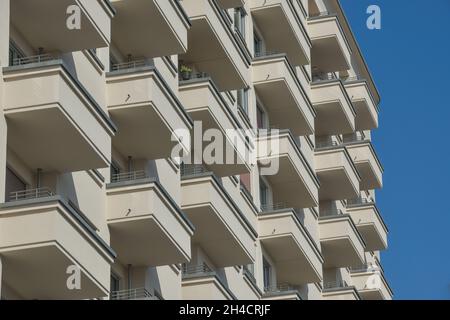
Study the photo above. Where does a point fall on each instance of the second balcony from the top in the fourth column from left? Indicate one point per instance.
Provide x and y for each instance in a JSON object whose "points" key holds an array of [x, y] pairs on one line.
{"points": [[284, 98]]}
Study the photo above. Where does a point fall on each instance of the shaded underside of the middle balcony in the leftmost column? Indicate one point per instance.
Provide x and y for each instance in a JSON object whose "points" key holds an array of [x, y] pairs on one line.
{"points": [[41, 137]]}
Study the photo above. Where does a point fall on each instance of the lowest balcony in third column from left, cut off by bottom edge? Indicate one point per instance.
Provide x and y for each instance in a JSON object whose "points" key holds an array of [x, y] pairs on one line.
{"points": [[202, 283]]}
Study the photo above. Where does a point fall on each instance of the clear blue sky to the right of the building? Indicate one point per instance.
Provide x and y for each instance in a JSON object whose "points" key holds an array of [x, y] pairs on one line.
{"points": [[410, 61]]}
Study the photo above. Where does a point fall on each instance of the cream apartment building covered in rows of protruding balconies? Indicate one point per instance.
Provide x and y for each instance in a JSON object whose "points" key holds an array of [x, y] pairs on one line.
{"points": [[93, 203]]}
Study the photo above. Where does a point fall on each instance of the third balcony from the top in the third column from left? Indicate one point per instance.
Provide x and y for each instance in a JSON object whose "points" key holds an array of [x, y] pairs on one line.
{"points": [[221, 229]]}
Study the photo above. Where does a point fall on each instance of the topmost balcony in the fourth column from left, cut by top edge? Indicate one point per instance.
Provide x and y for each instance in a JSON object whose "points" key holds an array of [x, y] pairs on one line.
{"points": [[295, 41]]}
